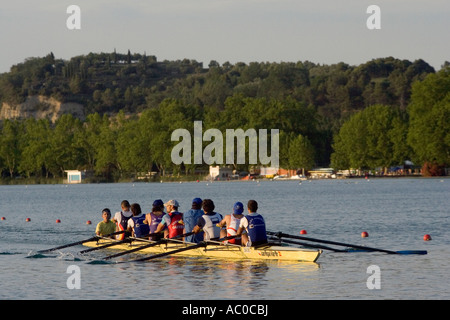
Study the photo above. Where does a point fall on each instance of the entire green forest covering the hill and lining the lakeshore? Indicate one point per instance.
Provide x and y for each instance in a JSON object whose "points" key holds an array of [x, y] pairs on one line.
{"points": [[377, 114]]}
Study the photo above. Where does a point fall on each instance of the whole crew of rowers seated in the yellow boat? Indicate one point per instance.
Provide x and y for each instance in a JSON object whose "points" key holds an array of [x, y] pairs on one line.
{"points": [[200, 223]]}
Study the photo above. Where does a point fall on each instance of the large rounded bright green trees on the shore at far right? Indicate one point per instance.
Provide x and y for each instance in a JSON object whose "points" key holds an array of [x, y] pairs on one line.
{"points": [[383, 136]]}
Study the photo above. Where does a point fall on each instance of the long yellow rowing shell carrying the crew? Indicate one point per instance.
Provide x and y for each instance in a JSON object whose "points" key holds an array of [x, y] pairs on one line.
{"points": [[269, 252]]}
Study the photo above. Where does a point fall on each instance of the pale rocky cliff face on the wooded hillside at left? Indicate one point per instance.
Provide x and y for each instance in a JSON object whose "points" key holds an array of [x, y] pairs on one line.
{"points": [[41, 107]]}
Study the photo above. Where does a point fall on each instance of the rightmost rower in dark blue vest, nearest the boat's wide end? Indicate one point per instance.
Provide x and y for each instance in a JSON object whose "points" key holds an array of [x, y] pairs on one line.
{"points": [[254, 225]]}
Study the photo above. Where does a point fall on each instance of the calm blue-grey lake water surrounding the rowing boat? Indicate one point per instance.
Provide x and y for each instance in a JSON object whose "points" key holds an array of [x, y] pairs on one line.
{"points": [[395, 212]]}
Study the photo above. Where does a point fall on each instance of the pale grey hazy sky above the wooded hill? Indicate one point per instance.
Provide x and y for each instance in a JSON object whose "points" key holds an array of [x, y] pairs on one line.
{"points": [[320, 31]]}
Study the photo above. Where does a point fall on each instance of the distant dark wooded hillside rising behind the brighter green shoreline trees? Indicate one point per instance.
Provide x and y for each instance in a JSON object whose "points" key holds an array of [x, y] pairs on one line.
{"points": [[109, 82]]}
